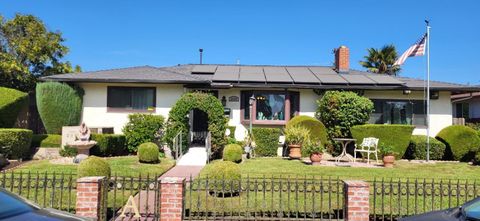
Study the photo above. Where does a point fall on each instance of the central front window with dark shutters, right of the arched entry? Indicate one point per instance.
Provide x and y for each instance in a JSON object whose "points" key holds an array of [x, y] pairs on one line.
{"points": [[270, 107]]}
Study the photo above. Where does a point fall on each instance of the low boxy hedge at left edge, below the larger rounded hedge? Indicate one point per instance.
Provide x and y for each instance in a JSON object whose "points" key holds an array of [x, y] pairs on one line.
{"points": [[15, 143]]}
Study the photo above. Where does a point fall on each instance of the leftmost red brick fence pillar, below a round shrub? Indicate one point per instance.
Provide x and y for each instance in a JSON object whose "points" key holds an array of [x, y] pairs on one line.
{"points": [[89, 196]]}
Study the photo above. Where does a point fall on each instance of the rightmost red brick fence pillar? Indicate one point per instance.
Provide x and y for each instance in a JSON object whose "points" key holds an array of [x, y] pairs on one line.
{"points": [[356, 200]]}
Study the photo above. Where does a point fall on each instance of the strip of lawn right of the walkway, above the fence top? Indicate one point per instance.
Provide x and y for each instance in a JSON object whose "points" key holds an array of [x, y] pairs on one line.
{"points": [[283, 167]]}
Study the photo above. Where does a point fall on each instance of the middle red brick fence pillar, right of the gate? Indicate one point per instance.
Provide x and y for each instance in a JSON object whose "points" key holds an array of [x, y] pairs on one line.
{"points": [[171, 198]]}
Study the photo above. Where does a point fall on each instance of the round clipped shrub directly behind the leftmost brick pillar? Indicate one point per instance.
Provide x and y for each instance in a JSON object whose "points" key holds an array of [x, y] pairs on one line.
{"points": [[93, 166]]}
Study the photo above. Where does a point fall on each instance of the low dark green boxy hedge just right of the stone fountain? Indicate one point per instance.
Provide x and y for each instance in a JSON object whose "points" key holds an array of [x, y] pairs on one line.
{"points": [[108, 145]]}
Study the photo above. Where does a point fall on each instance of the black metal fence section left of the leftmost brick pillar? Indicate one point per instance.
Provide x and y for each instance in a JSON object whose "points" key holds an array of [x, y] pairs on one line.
{"points": [[51, 190]]}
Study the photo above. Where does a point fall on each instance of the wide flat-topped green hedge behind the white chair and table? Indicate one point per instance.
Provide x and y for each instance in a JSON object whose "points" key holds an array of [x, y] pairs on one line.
{"points": [[395, 135]]}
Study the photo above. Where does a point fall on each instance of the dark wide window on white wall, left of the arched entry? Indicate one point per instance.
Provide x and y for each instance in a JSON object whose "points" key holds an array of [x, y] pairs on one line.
{"points": [[131, 98]]}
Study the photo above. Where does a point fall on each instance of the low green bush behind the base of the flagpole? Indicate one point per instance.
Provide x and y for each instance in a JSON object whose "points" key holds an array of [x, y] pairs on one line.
{"points": [[417, 150]]}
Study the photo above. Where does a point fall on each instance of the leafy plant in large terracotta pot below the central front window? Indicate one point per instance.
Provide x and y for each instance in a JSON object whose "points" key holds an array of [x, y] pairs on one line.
{"points": [[295, 137]]}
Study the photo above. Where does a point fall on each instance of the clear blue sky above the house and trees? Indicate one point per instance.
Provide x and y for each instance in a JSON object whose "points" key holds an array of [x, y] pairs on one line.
{"points": [[114, 34]]}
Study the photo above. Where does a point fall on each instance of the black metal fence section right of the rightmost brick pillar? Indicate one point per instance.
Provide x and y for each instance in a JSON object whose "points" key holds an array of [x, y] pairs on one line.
{"points": [[391, 199]]}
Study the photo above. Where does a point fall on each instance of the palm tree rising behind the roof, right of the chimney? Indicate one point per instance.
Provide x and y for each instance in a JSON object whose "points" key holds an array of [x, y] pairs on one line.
{"points": [[381, 61]]}
